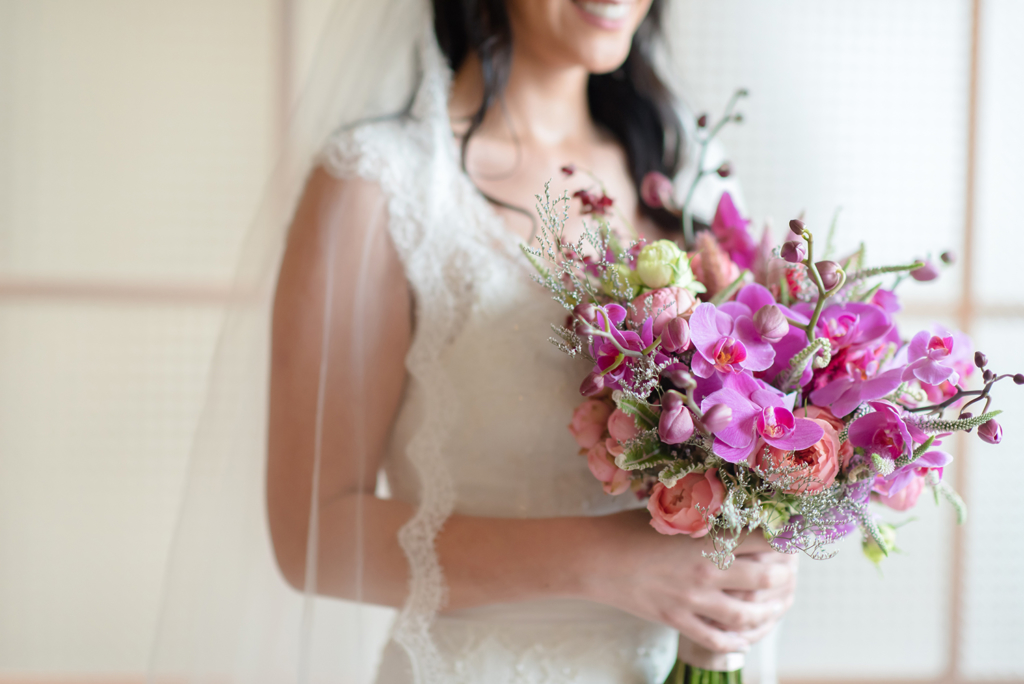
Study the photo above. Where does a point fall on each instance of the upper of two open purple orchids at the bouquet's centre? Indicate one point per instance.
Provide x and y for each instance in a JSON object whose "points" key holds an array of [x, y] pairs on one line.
{"points": [[728, 341]]}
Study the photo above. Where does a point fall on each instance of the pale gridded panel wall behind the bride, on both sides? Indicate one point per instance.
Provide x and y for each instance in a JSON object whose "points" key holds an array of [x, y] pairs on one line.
{"points": [[134, 139]]}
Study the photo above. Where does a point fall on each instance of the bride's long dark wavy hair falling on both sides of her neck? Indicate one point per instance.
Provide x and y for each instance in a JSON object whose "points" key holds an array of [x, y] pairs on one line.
{"points": [[632, 102]]}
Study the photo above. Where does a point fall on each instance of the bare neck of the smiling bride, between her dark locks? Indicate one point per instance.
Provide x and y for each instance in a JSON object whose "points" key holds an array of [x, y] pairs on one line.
{"points": [[541, 105]]}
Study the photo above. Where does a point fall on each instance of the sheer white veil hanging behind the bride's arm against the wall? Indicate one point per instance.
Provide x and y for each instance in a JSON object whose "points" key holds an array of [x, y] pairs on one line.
{"points": [[228, 615]]}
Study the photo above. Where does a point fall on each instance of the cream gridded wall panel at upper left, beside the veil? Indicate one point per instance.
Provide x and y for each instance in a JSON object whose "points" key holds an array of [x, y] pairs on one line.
{"points": [[141, 134]]}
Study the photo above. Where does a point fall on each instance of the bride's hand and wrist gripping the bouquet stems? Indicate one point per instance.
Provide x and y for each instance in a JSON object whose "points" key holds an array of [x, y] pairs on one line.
{"points": [[667, 580]]}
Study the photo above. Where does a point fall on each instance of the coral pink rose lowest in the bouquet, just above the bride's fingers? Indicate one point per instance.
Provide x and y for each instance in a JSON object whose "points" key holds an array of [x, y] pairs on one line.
{"points": [[676, 511]]}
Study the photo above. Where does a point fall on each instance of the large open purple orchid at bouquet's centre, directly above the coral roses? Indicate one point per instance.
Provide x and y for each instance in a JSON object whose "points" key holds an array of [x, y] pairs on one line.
{"points": [[759, 413]]}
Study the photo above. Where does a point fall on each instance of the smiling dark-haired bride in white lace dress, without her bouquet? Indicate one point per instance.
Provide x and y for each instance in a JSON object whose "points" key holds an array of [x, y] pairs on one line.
{"points": [[418, 455]]}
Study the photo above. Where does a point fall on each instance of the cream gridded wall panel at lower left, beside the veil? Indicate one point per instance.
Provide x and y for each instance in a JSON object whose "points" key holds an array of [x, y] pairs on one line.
{"points": [[98, 408]]}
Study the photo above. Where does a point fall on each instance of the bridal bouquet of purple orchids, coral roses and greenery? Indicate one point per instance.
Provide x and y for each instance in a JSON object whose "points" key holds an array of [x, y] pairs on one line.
{"points": [[741, 386]]}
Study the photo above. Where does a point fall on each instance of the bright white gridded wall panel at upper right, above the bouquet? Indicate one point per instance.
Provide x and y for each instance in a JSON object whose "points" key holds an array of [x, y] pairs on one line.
{"points": [[854, 105]]}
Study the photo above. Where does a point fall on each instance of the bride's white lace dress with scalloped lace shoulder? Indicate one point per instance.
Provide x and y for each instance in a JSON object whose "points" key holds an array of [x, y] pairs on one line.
{"points": [[483, 427]]}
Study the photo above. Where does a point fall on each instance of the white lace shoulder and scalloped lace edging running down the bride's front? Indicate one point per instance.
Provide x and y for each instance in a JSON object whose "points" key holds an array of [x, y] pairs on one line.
{"points": [[408, 158]]}
